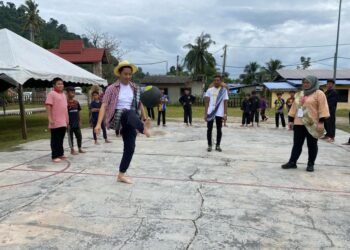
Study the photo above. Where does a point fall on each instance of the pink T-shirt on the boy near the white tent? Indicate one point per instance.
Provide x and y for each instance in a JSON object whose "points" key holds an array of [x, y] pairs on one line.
{"points": [[59, 111]]}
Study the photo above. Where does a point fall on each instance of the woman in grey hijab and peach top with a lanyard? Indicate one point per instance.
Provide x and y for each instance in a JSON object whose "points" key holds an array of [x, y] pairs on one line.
{"points": [[308, 114]]}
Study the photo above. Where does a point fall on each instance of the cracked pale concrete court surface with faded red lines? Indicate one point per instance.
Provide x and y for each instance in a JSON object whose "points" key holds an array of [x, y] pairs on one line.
{"points": [[182, 198]]}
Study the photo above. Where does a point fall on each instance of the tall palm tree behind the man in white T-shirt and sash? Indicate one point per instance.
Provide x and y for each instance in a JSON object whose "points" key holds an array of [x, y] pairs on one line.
{"points": [[198, 59]]}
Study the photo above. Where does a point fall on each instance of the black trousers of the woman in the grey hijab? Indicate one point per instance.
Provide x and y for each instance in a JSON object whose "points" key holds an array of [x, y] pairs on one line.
{"points": [[300, 134]]}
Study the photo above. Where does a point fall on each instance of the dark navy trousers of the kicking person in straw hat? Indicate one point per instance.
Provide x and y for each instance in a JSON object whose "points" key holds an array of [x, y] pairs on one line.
{"points": [[131, 123]]}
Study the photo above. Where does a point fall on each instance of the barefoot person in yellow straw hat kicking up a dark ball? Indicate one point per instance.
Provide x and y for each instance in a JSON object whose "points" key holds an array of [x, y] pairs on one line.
{"points": [[122, 106]]}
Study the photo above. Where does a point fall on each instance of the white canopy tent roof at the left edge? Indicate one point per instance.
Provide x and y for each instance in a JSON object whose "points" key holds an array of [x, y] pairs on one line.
{"points": [[22, 60]]}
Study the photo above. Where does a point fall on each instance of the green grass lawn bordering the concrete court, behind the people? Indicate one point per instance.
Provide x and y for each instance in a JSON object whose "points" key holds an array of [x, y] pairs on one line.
{"points": [[37, 124]]}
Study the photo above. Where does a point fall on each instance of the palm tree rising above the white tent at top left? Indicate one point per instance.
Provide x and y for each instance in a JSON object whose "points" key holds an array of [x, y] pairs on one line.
{"points": [[33, 20]]}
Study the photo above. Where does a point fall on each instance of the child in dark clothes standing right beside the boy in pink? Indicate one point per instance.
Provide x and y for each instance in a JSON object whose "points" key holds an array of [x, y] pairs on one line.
{"points": [[74, 121]]}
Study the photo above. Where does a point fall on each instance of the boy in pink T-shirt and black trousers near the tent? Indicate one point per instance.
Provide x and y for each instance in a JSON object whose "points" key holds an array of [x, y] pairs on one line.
{"points": [[57, 112]]}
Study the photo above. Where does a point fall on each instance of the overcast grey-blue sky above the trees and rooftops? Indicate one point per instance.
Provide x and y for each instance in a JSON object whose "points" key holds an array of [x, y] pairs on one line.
{"points": [[157, 30]]}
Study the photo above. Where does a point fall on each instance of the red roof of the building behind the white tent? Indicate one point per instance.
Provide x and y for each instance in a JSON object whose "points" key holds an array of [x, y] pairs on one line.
{"points": [[74, 52]]}
